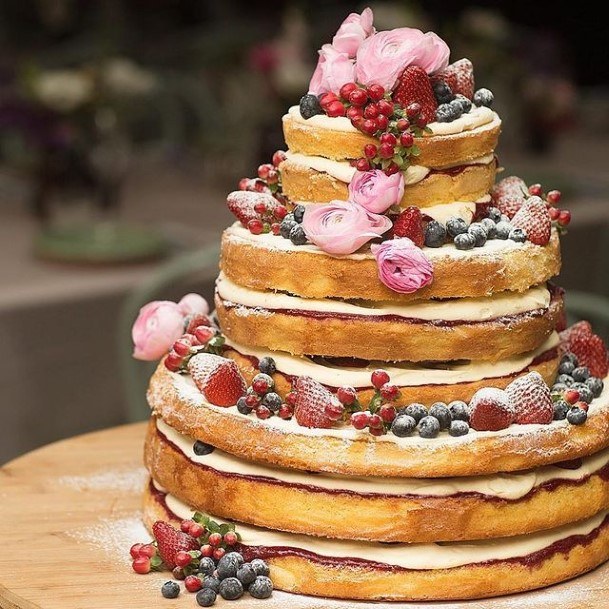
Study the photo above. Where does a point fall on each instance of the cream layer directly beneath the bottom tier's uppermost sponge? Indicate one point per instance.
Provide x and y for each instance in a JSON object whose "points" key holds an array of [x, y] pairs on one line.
{"points": [[504, 486]]}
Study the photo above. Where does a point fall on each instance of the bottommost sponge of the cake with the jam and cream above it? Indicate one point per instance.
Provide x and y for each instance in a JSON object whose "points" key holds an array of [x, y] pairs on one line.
{"points": [[402, 572]]}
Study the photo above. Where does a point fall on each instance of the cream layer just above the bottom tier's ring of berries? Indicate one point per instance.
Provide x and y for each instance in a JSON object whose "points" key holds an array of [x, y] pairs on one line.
{"points": [[403, 374]]}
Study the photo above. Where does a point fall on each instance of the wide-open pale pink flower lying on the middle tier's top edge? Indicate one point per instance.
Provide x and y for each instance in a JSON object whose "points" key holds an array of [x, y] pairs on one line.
{"points": [[341, 227]]}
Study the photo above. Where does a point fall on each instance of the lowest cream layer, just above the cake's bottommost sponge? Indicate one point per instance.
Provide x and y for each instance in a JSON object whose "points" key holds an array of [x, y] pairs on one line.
{"points": [[415, 556]]}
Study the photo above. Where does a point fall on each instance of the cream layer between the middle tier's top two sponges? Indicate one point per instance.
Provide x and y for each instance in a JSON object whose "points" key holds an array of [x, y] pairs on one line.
{"points": [[460, 309]]}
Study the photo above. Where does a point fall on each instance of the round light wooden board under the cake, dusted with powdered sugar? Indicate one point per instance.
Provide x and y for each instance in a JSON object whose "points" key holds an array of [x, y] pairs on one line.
{"points": [[70, 511]]}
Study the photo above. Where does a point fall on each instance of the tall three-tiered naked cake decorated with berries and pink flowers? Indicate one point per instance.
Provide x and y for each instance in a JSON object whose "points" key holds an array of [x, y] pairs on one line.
{"points": [[380, 410]]}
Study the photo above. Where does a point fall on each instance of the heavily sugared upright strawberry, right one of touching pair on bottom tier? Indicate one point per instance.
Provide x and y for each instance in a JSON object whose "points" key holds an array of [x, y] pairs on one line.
{"points": [[530, 397]]}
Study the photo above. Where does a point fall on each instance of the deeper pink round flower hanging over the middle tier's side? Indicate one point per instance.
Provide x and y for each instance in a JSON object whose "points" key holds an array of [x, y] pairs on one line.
{"points": [[402, 265]]}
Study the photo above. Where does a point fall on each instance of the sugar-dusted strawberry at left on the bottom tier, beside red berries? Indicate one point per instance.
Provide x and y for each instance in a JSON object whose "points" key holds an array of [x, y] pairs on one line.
{"points": [[217, 378]]}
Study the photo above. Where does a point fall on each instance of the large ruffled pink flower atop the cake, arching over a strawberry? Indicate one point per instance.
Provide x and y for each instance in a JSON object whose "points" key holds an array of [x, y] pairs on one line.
{"points": [[381, 58]]}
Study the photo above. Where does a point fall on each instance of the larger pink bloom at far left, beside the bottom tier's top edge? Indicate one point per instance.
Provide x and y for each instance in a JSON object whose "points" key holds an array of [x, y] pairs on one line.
{"points": [[159, 324]]}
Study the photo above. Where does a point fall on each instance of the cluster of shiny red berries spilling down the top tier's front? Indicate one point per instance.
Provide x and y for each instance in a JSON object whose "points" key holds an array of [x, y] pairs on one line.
{"points": [[372, 111]]}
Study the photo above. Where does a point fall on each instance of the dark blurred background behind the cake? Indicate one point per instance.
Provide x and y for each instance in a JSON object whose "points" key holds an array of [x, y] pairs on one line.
{"points": [[123, 123]]}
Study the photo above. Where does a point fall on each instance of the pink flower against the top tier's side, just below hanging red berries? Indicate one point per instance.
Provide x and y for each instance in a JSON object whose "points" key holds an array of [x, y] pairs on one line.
{"points": [[375, 190]]}
